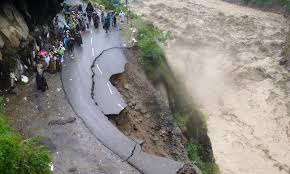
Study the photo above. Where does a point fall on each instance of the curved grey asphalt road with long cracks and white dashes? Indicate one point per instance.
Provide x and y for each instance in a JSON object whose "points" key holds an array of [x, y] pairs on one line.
{"points": [[77, 82]]}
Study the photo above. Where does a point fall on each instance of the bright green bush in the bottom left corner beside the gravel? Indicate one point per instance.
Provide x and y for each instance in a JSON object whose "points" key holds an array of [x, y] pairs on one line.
{"points": [[19, 156]]}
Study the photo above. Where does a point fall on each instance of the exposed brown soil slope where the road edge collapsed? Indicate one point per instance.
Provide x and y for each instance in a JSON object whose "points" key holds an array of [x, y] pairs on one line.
{"points": [[148, 116]]}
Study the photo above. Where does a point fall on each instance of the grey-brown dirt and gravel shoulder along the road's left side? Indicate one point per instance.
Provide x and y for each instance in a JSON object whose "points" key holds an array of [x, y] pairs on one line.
{"points": [[74, 149]]}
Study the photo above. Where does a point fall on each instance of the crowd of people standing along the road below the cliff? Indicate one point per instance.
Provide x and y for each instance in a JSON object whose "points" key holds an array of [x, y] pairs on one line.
{"points": [[66, 35]]}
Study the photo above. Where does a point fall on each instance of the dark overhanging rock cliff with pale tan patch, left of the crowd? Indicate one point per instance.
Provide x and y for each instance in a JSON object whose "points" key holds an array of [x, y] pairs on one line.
{"points": [[17, 19]]}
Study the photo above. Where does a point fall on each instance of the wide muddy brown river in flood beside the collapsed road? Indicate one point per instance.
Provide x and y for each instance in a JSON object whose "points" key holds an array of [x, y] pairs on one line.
{"points": [[227, 57]]}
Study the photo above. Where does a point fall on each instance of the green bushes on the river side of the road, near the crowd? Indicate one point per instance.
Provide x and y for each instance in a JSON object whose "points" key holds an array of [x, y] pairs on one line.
{"points": [[150, 46]]}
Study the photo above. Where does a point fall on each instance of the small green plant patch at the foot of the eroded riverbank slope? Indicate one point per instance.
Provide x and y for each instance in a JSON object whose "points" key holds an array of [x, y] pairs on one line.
{"points": [[194, 151]]}
